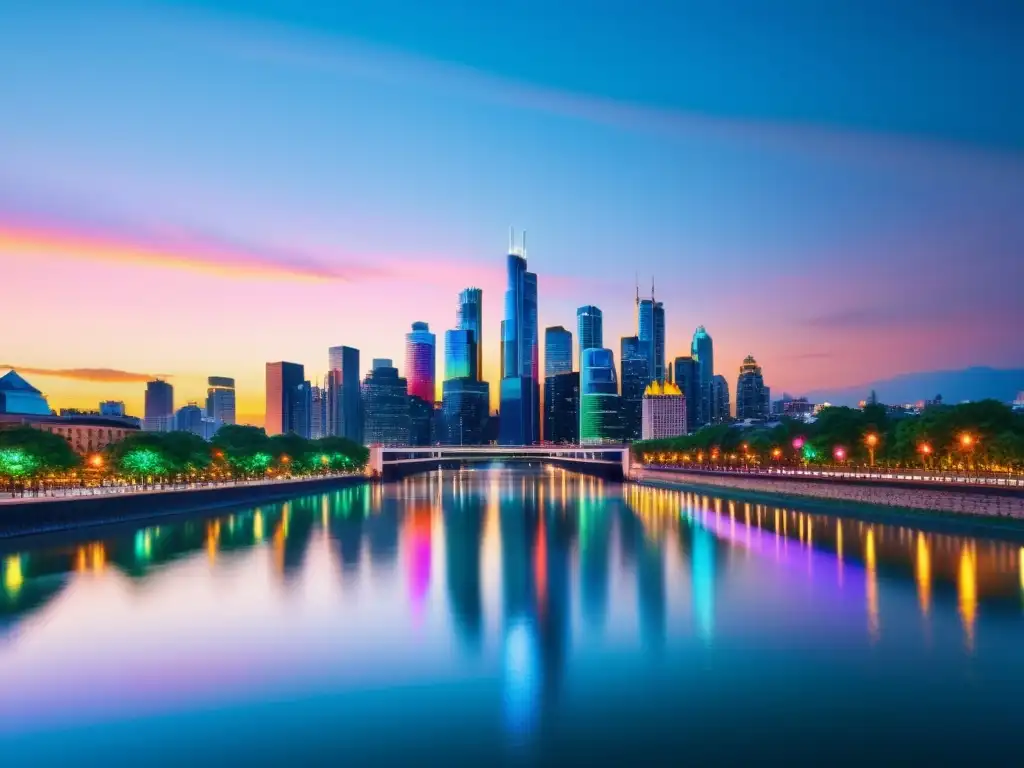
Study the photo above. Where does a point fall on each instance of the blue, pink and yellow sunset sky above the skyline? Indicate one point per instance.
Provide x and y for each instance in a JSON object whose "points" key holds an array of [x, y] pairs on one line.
{"points": [[196, 189]]}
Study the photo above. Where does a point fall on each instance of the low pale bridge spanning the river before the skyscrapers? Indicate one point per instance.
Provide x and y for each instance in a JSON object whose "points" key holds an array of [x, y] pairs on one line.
{"points": [[391, 462]]}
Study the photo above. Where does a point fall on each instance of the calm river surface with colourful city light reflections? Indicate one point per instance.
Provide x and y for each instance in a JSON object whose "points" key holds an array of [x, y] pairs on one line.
{"points": [[515, 616]]}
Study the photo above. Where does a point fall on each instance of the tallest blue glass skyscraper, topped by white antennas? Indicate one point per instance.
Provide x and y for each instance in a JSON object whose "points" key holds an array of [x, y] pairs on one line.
{"points": [[520, 388]]}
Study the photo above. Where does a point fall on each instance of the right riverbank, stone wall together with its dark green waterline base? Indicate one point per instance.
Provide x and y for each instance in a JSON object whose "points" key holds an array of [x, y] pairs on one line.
{"points": [[968, 504]]}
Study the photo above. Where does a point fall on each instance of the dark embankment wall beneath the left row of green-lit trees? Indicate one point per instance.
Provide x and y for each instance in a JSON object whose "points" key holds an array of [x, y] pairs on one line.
{"points": [[50, 515]]}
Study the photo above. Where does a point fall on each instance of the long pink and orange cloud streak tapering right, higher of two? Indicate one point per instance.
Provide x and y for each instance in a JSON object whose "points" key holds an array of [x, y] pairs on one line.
{"points": [[176, 251]]}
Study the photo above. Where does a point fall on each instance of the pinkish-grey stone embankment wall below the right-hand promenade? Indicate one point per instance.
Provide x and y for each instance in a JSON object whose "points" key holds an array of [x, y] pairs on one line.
{"points": [[982, 502]]}
